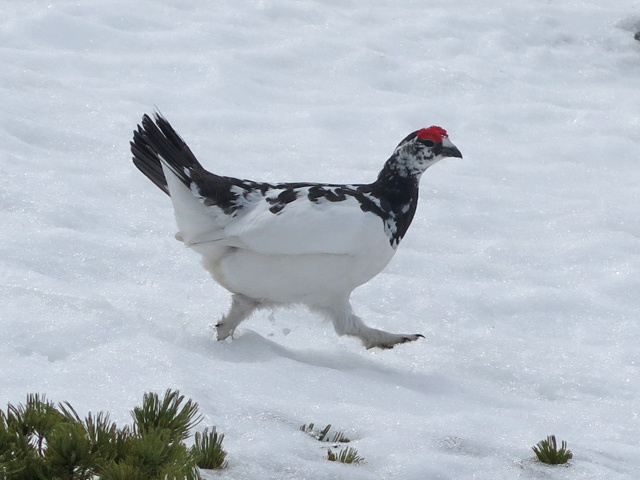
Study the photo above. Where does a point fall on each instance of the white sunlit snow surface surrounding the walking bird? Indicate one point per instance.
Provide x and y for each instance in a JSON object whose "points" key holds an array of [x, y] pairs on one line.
{"points": [[522, 266]]}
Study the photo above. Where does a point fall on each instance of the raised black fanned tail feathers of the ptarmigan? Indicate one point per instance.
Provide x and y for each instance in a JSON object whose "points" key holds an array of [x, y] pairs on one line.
{"points": [[154, 139]]}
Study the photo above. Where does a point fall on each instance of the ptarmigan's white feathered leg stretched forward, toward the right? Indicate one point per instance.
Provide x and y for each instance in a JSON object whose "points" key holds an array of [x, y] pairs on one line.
{"points": [[346, 322]]}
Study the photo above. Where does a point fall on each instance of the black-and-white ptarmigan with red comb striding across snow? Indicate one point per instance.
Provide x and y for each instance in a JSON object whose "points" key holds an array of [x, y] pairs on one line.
{"points": [[291, 243]]}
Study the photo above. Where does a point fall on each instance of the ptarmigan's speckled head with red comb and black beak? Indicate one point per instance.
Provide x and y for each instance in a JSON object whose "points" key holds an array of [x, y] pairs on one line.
{"points": [[421, 149]]}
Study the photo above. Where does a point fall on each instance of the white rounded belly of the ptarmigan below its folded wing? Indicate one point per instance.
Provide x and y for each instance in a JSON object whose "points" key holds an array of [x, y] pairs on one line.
{"points": [[315, 279]]}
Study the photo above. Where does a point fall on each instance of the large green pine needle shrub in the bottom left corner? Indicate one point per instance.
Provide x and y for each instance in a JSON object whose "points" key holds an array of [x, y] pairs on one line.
{"points": [[39, 440]]}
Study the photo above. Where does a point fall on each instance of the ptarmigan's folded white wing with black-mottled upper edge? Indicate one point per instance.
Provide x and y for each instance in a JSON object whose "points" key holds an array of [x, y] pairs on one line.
{"points": [[276, 219]]}
